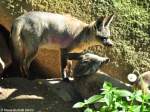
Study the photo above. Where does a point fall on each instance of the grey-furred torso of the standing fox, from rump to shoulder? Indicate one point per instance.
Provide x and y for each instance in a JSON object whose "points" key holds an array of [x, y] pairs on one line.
{"points": [[55, 29]]}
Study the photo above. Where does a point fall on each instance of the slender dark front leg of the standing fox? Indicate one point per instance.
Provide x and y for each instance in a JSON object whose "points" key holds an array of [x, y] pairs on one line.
{"points": [[64, 53]]}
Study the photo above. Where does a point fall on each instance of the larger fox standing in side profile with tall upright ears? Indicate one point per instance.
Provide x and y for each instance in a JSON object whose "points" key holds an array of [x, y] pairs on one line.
{"points": [[42, 29]]}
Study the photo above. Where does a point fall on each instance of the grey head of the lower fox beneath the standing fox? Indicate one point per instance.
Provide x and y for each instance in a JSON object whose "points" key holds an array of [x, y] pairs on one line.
{"points": [[89, 64]]}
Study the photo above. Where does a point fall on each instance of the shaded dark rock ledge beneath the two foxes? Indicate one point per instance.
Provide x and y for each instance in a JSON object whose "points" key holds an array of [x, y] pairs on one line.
{"points": [[50, 95]]}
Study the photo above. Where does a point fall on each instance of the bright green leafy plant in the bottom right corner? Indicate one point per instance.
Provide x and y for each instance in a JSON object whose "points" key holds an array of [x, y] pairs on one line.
{"points": [[116, 100]]}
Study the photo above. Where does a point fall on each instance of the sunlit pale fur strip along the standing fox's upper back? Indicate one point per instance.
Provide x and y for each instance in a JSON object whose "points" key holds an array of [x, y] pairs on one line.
{"points": [[54, 21]]}
